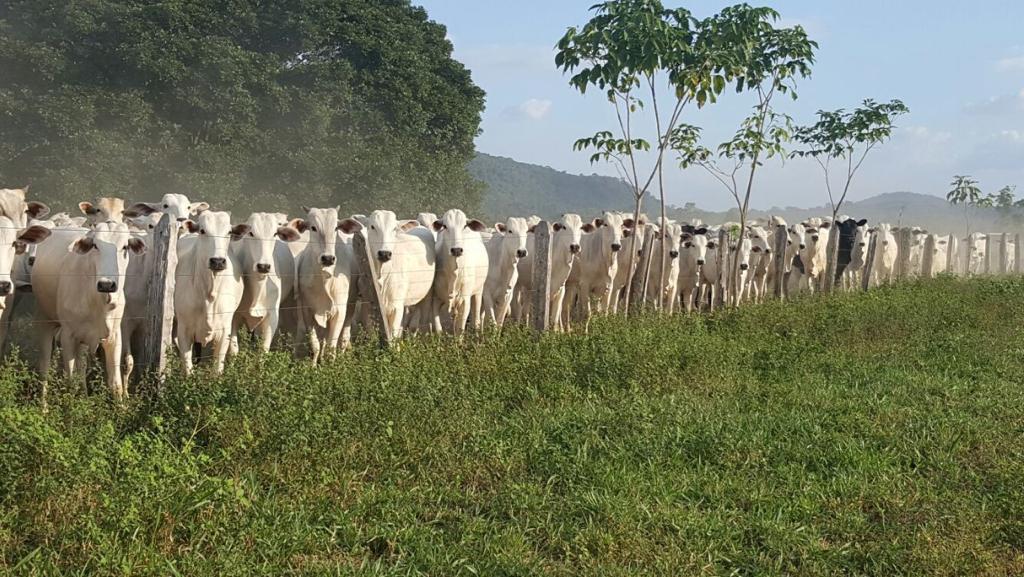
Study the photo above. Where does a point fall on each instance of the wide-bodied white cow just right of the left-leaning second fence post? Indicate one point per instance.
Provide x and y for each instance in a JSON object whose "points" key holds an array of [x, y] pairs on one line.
{"points": [[403, 258]]}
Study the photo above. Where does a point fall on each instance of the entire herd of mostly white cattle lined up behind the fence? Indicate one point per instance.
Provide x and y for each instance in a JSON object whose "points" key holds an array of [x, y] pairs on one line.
{"points": [[90, 274]]}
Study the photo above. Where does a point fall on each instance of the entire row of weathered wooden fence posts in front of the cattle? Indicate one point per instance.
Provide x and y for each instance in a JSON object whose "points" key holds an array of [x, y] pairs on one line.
{"points": [[163, 250]]}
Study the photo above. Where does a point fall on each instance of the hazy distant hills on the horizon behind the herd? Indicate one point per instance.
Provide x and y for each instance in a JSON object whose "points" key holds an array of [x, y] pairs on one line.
{"points": [[519, 189]]}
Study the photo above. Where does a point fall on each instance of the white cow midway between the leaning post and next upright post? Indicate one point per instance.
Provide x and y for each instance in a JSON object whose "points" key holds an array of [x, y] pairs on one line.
{"points": [[461, 271]]}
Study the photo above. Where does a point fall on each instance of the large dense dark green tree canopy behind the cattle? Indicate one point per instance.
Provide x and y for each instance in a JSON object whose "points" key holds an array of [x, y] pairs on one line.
{"points": [[247, 104]]}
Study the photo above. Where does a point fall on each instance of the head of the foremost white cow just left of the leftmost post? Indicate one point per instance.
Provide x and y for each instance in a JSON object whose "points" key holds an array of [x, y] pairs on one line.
{"points": [[108, 246]]}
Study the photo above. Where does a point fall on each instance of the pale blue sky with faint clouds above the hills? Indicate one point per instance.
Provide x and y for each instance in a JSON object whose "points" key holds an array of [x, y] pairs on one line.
{"points": [[960, 67]]}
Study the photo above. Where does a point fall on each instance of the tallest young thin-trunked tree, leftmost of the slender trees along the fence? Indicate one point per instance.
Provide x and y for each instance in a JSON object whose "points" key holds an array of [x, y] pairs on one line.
{"points": [[630, 50]]}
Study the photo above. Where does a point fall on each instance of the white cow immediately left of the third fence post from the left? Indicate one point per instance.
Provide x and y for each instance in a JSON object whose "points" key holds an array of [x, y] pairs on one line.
{"points": [[506, 248]]}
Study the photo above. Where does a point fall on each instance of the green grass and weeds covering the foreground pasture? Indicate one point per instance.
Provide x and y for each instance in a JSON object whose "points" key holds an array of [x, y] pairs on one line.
{"points": [[860, 435]]}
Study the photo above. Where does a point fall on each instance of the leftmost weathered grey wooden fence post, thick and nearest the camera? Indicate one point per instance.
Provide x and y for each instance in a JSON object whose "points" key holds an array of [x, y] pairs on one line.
{"points": [[163, 248]]}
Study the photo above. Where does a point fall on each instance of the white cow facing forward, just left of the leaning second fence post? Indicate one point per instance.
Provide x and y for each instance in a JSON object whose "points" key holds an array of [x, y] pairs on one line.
{"points": [[324, 282]]}
